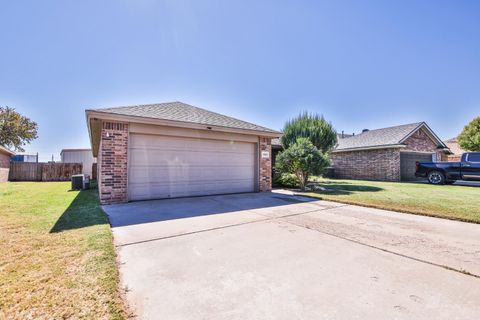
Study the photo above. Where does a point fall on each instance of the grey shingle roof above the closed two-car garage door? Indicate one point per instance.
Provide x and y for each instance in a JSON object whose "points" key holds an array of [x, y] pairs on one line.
{"points": [[178, 111]]}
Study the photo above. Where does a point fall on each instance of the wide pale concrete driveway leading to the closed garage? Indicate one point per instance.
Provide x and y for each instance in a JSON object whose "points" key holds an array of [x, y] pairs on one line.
{"points": [[275, 256]]}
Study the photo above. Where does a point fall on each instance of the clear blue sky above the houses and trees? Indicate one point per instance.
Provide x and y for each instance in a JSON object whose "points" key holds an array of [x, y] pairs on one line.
{"points": [[362, 64]]}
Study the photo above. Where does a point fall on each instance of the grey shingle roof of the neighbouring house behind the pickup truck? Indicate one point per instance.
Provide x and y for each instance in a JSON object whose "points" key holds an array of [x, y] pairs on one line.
{"points": [[383, 138]]}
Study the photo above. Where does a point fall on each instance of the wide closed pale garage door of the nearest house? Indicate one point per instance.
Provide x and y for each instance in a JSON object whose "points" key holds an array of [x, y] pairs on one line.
{"points": [[167, 167]]}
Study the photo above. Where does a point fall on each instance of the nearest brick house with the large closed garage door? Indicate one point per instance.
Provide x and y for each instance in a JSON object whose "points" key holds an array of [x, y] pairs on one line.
{"points": [[173, 149]]}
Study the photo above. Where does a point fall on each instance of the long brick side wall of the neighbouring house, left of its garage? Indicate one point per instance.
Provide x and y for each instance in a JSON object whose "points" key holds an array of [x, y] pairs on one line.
{"points": [[381, 164]]}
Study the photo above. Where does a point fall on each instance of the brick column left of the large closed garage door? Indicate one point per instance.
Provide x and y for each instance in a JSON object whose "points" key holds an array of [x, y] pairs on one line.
{"points": [[112, 162]]}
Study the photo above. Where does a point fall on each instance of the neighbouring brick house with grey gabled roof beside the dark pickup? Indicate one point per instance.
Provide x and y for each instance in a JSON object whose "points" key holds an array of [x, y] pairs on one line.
{"points": [[387, 154]]}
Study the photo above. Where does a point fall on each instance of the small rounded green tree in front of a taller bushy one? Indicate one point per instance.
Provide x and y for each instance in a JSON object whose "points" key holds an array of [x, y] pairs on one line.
{"points": [[303, 160]]}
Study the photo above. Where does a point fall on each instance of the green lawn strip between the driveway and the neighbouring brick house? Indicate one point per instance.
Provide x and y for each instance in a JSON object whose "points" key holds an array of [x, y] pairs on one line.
{"points": [[448, 201]]}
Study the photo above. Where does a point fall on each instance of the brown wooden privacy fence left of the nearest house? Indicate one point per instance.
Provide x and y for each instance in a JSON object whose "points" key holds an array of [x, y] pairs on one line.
{"points": [[32, 171]]}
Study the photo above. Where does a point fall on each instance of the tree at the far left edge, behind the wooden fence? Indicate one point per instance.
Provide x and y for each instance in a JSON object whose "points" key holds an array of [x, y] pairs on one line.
{"points": [[16, 130]]}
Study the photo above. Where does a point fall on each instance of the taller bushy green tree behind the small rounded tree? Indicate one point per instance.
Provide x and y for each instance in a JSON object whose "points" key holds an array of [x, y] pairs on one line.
{"points": [[311, 126]]}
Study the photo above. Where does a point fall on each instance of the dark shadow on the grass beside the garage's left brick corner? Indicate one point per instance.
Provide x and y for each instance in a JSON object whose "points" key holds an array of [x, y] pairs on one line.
{"points": [[83, 211]]}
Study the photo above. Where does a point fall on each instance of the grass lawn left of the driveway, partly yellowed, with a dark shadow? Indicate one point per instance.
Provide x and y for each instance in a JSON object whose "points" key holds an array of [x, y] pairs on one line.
{"points": [[57, 258]]}
